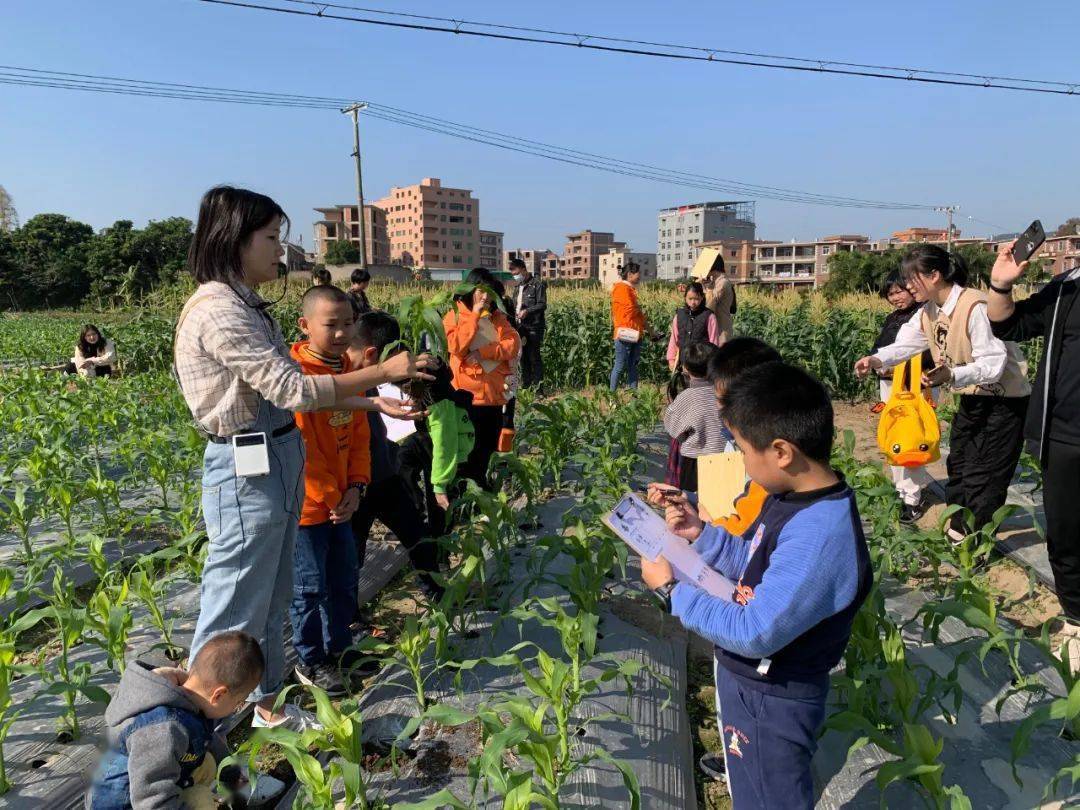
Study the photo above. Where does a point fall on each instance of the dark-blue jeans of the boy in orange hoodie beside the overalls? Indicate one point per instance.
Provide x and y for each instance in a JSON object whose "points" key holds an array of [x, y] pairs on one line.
{"points": [[325, 591]]}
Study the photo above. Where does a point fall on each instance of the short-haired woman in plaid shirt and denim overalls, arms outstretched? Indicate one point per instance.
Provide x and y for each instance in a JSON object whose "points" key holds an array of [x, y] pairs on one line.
{"points": [[238, 380]]}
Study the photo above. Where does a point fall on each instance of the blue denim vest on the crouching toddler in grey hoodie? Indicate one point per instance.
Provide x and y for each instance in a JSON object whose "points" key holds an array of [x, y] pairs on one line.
{"points": [[112, 789]]}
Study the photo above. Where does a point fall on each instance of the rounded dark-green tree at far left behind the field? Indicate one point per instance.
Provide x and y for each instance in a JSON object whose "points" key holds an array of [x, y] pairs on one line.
{"points": [[52, 255]]}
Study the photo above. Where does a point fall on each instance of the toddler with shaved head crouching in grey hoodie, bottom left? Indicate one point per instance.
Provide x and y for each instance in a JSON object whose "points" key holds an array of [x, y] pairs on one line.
{"points": [[161, 732]]}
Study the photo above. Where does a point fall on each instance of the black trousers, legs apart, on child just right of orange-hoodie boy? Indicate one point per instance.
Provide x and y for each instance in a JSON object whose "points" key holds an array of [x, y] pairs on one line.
{"points": [[389, 501]]}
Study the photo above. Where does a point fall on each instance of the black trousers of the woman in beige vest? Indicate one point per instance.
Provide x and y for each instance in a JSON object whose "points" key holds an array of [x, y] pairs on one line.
{"points": [[985, 444]]}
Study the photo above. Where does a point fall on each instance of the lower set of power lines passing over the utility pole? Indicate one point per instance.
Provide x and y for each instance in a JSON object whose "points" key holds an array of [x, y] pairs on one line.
{"points": [[96, 84]]}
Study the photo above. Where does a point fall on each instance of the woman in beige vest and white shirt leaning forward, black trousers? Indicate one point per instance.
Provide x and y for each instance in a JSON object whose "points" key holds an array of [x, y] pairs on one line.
{"points": [[989, 375]]}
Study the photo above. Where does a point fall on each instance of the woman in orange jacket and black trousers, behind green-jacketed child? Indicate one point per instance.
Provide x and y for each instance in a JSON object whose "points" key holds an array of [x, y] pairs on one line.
{"points": [[482, 345]]}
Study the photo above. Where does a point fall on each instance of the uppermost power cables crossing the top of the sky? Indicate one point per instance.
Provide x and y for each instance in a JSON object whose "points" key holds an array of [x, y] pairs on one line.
{"points": [[670, 51]]}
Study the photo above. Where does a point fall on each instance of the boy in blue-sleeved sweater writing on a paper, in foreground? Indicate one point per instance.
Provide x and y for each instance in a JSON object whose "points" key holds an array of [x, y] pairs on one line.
{"points": [[803, 571]]}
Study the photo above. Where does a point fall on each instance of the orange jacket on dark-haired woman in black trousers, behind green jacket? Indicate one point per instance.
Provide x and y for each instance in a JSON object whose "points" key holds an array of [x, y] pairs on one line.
{"points": [[488, 388]]}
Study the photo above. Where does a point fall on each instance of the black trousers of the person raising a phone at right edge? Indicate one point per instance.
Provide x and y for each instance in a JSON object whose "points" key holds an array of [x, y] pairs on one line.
{"points": [[1061, 487]]}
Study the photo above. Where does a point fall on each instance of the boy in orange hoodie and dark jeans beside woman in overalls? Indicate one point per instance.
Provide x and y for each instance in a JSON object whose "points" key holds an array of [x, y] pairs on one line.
{"points": [[337, 471]]}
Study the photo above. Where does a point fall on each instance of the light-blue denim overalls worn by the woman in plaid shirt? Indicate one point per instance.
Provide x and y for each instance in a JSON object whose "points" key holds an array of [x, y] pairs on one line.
{"points": [[252, 522]]}
